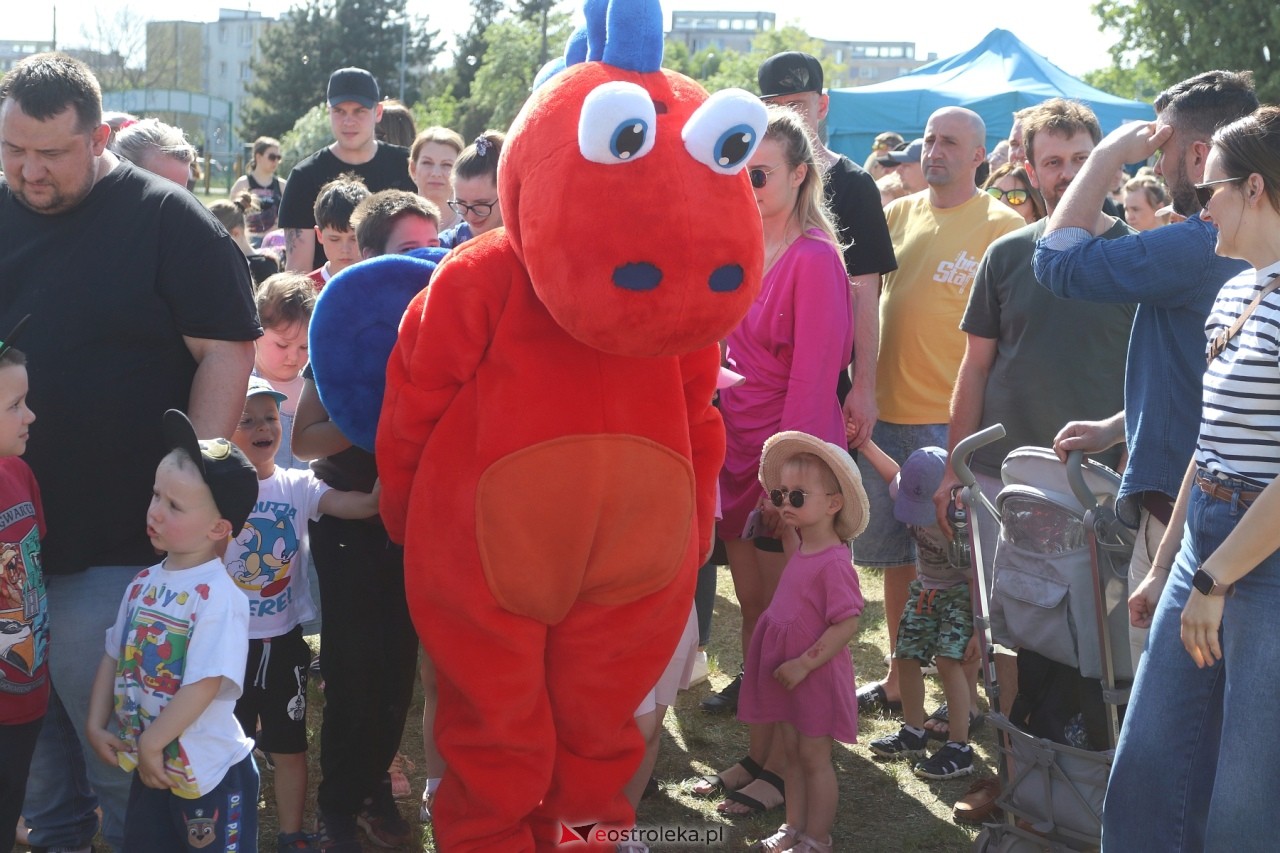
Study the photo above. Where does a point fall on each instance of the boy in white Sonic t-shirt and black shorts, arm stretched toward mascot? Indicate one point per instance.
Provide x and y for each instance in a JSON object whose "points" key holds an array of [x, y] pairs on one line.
{"points": [[268, 562]]}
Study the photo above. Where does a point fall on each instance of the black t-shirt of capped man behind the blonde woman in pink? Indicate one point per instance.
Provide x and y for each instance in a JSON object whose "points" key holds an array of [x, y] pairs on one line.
{"points": [[854, 200]]}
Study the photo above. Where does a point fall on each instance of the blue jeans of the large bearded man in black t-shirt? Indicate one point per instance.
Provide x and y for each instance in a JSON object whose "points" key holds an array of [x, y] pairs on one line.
{"points": [[65, 772]]}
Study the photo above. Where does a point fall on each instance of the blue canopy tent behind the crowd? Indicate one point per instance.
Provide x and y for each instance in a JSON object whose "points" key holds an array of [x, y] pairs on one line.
{"points": [[995, 79]]}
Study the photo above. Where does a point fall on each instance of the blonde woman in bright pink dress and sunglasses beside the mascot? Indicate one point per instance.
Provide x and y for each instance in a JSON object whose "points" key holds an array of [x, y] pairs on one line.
{"points": [[794, 339]]}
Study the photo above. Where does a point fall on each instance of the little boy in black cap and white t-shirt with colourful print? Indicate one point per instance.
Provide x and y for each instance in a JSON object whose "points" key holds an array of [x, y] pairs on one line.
{"points": [[164, 697]]}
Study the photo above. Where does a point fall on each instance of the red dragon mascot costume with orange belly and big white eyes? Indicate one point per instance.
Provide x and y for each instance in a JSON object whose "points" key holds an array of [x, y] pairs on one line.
{"points": [[547, 445]]}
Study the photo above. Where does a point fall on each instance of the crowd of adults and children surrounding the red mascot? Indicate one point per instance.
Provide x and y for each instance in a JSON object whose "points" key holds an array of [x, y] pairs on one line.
{"points": [[904, 307]]}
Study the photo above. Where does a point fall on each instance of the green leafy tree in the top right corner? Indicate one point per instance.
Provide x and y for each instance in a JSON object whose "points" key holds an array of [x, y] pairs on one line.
{"points": [[1180, 39]]}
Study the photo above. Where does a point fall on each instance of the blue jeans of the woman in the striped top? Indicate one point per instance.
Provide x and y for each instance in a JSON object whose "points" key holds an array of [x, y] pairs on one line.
{"points": [[1178, 783]]}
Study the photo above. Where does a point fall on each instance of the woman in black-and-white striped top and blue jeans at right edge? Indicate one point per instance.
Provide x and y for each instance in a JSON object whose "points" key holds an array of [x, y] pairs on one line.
{"points": [[1196, 765]]}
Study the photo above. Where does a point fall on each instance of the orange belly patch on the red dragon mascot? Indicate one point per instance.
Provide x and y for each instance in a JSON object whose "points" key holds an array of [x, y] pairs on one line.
{"points": [[604, 519]]}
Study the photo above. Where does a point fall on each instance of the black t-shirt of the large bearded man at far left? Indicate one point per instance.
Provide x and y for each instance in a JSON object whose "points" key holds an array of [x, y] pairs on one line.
{"points": [[112, 288]]}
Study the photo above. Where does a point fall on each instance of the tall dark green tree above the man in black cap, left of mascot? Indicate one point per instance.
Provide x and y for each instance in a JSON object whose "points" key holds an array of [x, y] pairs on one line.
{"points": [[316, 38]]}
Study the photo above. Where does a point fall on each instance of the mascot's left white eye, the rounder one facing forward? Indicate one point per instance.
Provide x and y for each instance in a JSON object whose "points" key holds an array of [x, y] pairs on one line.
{"points": [[619, 124]]}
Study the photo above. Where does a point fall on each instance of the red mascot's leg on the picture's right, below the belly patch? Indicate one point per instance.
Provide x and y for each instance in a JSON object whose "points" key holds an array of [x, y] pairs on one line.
{"points": [[601, 663]]}
